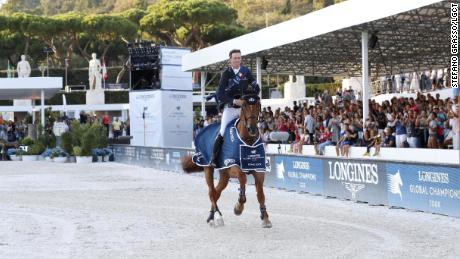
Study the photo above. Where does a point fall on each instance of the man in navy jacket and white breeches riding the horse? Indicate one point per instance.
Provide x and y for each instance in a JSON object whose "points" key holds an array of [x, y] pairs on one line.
{"points": [[235, 82]]}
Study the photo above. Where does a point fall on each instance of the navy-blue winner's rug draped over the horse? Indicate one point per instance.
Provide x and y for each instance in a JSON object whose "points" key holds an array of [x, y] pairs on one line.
{"points": [[234, 150]]}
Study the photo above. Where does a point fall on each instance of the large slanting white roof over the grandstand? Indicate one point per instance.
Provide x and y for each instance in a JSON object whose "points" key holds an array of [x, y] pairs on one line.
{"points": [[412, 35]]}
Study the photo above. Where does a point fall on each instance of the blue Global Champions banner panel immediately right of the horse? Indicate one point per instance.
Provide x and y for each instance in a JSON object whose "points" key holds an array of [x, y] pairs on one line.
{"points": [[296, 173]]}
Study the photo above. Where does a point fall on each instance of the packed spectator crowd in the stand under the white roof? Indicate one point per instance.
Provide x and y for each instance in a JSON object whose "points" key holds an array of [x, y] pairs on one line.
{"points": [[423, 122]]}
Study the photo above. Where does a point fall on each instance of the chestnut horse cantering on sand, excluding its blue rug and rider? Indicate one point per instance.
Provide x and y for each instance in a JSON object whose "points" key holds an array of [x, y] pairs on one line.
{"points": [[249, 133]]}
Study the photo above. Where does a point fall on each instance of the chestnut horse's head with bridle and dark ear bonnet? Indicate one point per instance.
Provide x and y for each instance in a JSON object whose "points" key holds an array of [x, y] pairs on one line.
{"points": [[250, 113]]}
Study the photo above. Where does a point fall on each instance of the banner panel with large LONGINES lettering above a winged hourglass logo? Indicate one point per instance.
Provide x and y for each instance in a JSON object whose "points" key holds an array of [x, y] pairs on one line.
{"points": [[360, 180]]}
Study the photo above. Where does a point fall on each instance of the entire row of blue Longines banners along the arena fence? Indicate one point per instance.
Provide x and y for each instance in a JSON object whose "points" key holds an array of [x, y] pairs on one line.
{"points": [[429, 188]]}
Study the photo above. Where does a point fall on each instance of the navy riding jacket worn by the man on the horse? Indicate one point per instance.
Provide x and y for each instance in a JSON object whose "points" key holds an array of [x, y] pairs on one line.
{"points": [[233, 85]]}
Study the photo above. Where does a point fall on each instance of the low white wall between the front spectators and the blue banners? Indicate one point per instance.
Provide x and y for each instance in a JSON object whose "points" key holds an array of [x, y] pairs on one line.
{"points": [[443, 156]]}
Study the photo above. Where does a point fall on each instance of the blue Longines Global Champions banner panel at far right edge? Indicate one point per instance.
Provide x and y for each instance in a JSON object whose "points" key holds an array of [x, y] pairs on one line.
{"points": [[422, 187]]}
